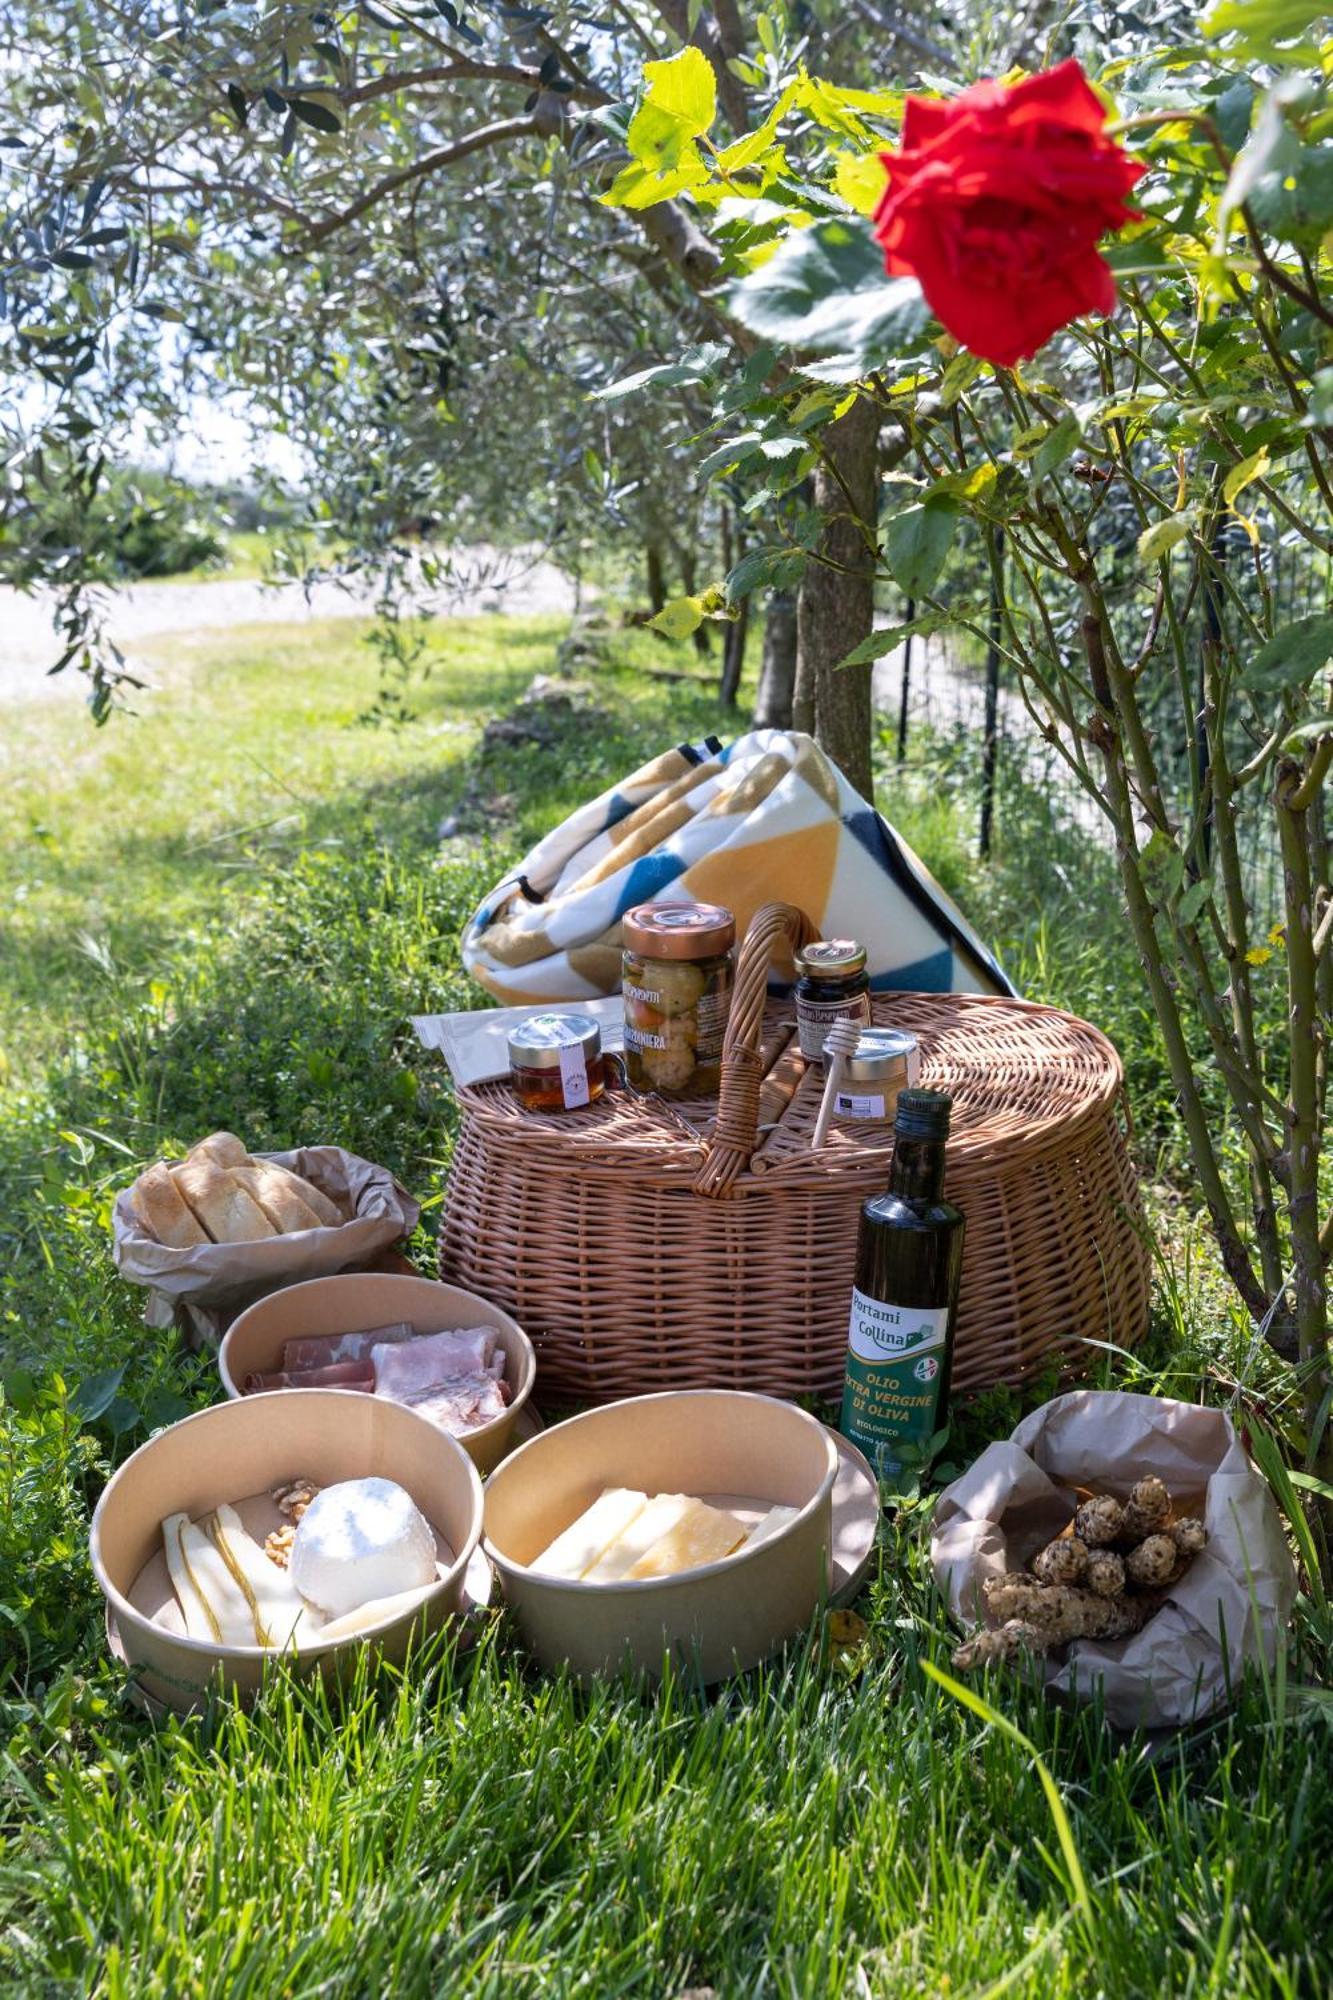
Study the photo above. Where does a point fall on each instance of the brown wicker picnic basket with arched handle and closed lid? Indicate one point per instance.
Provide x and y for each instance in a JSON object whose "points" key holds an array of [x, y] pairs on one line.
{"points": [[704, 1245]]}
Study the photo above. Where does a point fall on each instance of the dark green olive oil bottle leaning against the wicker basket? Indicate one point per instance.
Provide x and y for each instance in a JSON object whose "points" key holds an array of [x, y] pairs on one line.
{"points": [[910, 1259]]}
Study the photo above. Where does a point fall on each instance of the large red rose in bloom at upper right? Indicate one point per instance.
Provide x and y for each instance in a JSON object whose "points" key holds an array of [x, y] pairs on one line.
{"points": [[996, 205]]}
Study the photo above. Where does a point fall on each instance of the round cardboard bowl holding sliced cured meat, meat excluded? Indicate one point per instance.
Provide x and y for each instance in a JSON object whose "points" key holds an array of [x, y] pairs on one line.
{"points": [[353, 1305]]}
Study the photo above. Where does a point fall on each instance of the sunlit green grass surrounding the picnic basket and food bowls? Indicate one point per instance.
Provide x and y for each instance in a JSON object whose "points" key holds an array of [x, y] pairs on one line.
{"points": [[269, 903]]}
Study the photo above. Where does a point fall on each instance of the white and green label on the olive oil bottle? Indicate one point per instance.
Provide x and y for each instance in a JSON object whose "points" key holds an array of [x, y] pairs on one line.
{"points": [[896, 1377]]}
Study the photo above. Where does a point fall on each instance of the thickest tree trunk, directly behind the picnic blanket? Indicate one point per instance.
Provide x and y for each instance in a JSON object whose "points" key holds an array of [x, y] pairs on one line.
{"points": [[836, 609]]}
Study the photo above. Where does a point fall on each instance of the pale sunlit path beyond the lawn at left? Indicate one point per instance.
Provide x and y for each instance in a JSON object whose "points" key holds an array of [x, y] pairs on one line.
{"points": [[521, 587]]}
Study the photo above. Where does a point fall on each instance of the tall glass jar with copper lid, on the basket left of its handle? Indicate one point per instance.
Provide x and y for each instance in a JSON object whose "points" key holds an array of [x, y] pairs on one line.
{"points": [[678, 995]]}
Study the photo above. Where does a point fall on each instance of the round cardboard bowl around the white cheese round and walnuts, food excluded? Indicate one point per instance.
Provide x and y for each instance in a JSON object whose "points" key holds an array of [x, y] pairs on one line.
{"points": [[237, 1453]]}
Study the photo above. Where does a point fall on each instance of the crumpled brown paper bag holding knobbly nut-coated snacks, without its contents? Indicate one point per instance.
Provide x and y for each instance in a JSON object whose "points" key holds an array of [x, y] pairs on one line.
{"points": [[1228, 1611]]}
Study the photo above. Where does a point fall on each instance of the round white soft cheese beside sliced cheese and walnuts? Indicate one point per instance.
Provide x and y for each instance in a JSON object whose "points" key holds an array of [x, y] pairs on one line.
{"points": [[359, 1541]]}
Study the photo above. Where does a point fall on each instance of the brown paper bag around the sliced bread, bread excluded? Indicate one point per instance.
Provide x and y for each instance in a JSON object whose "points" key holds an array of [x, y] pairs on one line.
{"points": [[203, 1289]]}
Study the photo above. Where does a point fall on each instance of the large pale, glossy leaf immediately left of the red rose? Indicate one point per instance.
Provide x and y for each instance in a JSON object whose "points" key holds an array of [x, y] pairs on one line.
{"points": [[826, 293]]}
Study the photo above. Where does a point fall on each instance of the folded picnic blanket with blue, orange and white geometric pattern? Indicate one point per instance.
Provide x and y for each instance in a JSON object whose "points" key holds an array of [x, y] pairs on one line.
{"points": [[768, 819]]}
